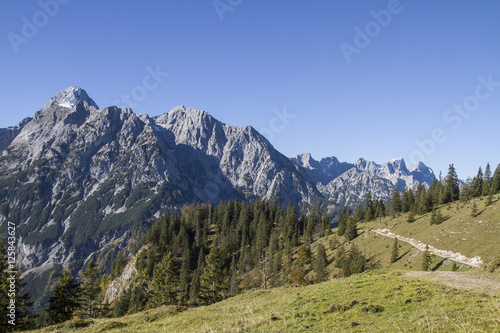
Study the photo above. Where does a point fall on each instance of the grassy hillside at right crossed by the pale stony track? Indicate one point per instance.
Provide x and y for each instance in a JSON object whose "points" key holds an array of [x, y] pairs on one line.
{"points": [[460, 233]]}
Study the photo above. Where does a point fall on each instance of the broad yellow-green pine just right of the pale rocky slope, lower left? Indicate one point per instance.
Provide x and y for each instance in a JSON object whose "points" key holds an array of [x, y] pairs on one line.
{"points": [[165, 282]]}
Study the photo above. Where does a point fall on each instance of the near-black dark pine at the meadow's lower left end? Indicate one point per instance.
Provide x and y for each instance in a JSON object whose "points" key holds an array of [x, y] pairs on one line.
{"points": [[65, 301]]}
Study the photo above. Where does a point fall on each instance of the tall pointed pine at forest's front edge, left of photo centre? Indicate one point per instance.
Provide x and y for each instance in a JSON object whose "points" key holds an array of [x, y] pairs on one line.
{"points": [[212, 280]]}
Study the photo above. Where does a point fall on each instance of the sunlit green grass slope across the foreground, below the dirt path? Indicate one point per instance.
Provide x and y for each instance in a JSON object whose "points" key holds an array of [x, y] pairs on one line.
{"points": [[376, 301]]}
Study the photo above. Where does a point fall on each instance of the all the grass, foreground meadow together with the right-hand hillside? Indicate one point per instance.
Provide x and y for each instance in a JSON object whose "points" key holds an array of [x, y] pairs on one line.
{"points": [[375, 301]]}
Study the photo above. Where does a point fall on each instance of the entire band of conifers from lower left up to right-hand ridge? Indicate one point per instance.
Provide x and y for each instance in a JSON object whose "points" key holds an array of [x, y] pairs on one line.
{"points": [[207, 253]]}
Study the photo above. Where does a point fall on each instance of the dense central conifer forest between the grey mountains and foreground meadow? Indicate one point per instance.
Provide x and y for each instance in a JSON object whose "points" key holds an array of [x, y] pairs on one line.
{"points": [[209, 253]]}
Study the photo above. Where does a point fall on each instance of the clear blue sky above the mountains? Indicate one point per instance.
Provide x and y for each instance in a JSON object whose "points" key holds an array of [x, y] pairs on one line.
{"points": [[276, 55]]}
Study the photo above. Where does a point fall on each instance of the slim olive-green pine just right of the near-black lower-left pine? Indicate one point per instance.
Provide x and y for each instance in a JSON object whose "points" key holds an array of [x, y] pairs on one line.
{"points": [[90, 291]]}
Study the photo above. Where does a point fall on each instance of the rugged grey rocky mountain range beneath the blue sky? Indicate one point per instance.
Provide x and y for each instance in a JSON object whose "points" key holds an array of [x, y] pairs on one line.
{"points": [[75, 178]]}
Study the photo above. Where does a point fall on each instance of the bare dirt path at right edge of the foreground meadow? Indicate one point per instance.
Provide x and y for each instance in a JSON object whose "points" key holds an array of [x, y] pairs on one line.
{"points": [[461, 280]]}
